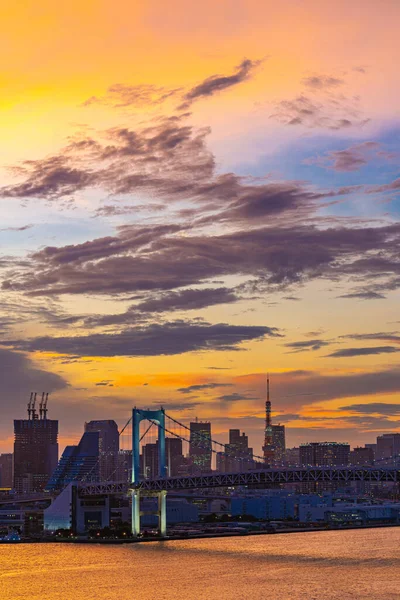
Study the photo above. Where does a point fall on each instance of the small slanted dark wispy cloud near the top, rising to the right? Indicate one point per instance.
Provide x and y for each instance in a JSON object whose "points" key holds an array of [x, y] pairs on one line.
{"points": [[218, 83]]}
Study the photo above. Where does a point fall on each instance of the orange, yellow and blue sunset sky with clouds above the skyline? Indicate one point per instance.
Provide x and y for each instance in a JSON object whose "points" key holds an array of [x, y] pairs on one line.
{"points": [[193, 196]]}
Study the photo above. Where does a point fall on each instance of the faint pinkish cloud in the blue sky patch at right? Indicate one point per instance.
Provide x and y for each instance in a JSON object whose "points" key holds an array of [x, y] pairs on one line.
{"points": [[351, 159]]}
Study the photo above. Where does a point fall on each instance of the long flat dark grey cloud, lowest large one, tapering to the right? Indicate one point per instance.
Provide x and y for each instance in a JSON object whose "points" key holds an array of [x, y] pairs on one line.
{"points": [[153, 340]]}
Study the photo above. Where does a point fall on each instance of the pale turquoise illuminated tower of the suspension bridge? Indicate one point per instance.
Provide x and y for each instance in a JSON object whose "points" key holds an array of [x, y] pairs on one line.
{"points": [[157, 417]]}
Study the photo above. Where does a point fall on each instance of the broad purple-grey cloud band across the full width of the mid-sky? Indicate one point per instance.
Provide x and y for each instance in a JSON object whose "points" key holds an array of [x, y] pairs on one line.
{"points": [[156, 258]]}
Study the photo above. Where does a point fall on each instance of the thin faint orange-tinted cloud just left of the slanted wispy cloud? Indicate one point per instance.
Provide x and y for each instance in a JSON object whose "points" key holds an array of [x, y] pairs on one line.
{"points": [[120, 95]]}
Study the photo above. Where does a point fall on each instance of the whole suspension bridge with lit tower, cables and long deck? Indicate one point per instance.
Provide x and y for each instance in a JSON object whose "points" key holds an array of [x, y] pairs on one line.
{"points": [[251, 470]]}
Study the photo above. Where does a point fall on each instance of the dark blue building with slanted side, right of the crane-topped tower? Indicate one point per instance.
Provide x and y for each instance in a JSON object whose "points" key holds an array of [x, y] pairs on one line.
{"points": [[77, 463]]}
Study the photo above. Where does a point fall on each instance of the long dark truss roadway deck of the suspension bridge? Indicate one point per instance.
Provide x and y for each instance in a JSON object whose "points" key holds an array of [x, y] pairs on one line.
{"points": [[249, 478]]}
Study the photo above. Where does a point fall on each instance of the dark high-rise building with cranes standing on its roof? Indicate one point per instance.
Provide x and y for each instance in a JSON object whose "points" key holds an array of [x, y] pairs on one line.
{"points": [[35, 448]]}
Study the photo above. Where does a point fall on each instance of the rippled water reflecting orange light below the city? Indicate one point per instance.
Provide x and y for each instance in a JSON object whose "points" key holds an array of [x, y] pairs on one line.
{"points": [[311, 566]]}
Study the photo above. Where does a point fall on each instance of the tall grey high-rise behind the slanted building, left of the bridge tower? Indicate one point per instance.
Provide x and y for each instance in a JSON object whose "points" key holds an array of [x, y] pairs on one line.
{"points": [[108, 447]]}
